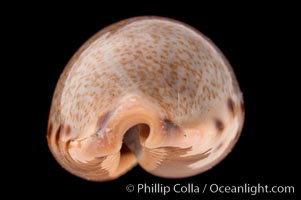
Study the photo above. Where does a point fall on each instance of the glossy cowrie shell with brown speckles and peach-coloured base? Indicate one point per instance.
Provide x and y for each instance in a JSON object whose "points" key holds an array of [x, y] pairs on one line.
{"points": [[150, 91]]}
